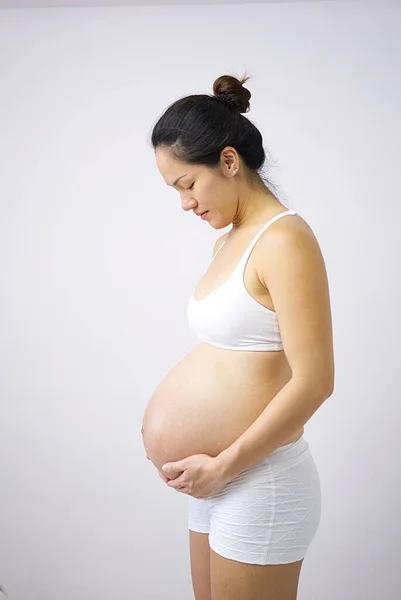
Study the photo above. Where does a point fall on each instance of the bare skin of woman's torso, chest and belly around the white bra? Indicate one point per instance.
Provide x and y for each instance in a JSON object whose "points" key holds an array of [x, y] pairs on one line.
{"points": [[213, 395]]}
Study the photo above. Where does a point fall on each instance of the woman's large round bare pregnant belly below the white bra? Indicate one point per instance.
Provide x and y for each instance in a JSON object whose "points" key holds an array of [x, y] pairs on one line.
{"points": [[208, 400]]}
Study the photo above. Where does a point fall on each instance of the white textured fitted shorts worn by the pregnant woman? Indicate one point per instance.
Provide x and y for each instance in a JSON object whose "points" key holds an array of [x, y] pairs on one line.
{"points": [[268, 514]]}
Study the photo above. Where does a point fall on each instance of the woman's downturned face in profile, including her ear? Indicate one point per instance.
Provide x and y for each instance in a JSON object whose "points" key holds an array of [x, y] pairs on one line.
{"points": [[202, 188]]}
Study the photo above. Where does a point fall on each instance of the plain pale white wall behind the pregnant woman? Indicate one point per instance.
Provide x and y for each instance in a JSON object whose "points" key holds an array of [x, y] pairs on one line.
{"points": [[98, 261]]}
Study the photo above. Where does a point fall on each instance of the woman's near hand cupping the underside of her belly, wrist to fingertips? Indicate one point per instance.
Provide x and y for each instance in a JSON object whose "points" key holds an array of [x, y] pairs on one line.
{"points": [[198, 476]]}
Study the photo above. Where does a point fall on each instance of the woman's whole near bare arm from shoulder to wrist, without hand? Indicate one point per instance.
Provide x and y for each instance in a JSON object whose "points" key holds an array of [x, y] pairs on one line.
{"points": [[294, 272]]}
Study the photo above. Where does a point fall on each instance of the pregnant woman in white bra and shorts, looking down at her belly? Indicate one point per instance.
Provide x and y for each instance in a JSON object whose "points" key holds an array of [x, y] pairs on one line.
{"points": [[226, 425]]}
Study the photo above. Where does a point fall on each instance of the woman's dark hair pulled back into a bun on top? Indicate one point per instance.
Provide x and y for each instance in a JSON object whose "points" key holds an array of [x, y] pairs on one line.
{"points": [[196, 128]]}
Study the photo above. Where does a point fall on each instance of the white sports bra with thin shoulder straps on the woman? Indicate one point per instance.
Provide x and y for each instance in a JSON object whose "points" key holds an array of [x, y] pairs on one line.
{"points": [[229, 317]]}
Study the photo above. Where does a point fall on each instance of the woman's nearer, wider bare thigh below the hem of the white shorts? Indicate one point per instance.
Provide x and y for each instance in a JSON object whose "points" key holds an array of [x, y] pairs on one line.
{"points": [[242, 581]]}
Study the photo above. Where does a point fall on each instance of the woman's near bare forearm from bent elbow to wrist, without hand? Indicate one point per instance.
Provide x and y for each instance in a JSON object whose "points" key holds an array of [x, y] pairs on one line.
{"points": [[289, 410]]}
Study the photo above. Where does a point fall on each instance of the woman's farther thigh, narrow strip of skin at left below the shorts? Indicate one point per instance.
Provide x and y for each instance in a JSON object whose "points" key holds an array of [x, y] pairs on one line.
{"points": [[200, 564]]}
